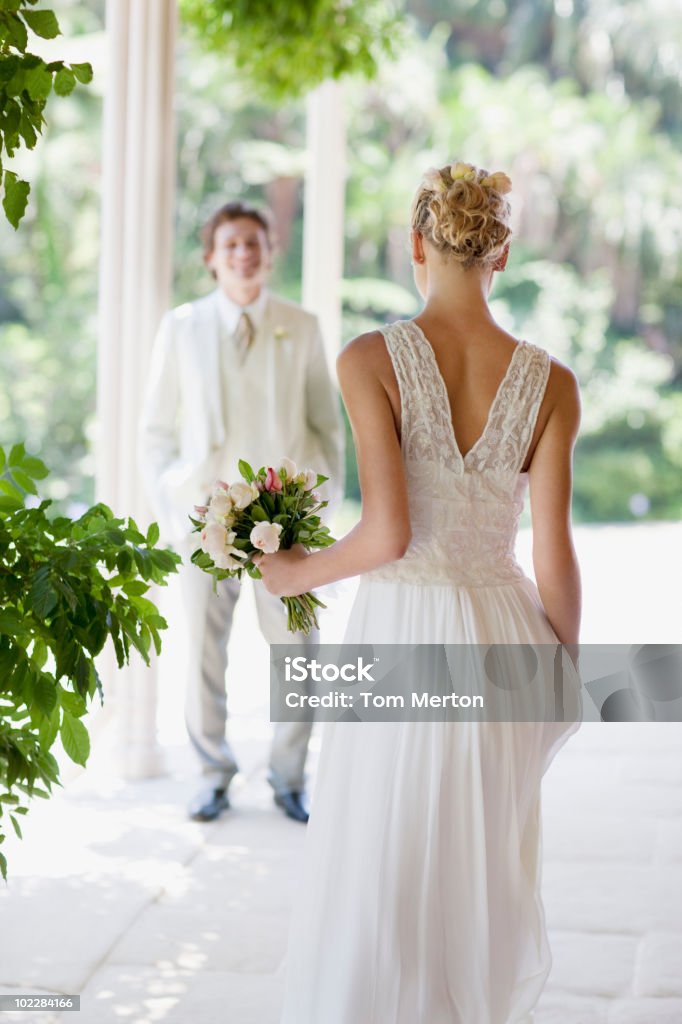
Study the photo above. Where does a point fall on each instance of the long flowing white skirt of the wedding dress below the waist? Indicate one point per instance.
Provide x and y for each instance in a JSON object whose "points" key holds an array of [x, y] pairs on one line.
{"points": [[419, 900]]}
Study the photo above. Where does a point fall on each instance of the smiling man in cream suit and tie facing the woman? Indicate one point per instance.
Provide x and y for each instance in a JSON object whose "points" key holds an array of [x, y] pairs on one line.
{"points": [[240, 374]]}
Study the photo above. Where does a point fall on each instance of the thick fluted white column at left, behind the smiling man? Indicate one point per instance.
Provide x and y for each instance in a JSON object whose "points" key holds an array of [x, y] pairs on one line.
{"points": [[135, 291]]}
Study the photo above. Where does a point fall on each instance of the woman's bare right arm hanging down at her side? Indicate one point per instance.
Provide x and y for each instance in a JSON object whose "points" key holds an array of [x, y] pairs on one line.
{"points": [[550, 477]]}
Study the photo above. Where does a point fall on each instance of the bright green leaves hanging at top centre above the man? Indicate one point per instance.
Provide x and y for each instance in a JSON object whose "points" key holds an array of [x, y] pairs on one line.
{"points": [[284, 50]]}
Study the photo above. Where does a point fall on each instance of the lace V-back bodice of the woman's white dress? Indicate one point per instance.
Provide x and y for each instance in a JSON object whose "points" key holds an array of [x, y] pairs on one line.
{"points": [[464, 510]]}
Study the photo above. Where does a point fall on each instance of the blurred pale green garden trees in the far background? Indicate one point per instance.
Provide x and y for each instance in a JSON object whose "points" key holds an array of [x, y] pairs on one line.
{"points": [[552, 92]]}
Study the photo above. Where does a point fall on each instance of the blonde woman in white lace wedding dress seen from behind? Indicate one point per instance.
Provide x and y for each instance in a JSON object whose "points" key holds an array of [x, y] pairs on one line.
{"points": [[420, 903]]}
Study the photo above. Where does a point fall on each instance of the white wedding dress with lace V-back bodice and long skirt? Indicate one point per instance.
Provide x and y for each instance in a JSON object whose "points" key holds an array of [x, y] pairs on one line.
{"points": [[419, 901]]}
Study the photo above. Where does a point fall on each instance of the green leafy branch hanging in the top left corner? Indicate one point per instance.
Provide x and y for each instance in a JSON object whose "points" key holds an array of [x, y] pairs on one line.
{"points": [[26, 82]]}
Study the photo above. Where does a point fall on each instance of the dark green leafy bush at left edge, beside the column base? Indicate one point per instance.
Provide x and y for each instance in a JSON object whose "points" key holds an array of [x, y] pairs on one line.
{"points": [[67, 587]]}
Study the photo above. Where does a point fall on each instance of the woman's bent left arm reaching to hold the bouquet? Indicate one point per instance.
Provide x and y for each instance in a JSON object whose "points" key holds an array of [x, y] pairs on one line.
{"points": [[383, 533]]}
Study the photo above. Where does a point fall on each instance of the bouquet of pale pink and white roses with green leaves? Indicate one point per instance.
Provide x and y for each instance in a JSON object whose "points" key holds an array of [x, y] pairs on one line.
{"points": [[260, 515]]}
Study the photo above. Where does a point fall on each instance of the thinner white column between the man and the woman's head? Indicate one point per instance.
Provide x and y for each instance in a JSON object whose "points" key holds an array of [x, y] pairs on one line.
{"points": [[324, 211]]}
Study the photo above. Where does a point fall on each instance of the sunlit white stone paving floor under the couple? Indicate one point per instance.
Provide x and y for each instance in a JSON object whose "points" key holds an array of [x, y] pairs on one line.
{"points": [[116, 897]]}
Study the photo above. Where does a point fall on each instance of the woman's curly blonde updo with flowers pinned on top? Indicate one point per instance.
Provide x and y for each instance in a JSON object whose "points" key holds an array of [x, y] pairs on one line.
{"points": [[462, 211]]}
